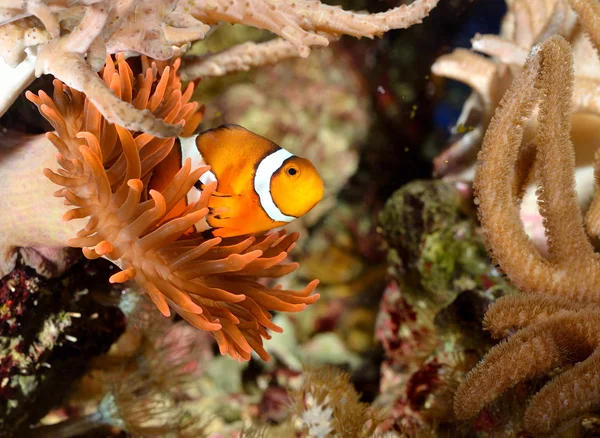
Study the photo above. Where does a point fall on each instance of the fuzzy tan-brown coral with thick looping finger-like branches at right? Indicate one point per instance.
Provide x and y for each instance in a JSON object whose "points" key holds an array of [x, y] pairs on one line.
{"points": [[557, 321]]}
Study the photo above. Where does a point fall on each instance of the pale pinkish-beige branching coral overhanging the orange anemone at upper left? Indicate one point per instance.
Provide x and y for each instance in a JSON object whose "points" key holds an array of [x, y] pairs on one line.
{"points": [[75, 39]]}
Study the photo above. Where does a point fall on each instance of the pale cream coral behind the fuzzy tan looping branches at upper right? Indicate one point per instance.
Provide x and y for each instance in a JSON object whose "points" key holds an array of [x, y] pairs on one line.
{"points": [[524, 25]]}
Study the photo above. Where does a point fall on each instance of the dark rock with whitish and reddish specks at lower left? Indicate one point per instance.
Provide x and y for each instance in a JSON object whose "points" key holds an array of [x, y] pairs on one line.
{"points": [[46, 328]]}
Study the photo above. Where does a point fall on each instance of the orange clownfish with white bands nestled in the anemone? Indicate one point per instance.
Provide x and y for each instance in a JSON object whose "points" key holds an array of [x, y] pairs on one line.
{"points": [[260, 186]]}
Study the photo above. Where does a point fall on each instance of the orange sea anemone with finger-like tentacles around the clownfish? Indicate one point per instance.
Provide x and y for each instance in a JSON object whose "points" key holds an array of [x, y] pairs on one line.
{"points": [[104, 171]]}
